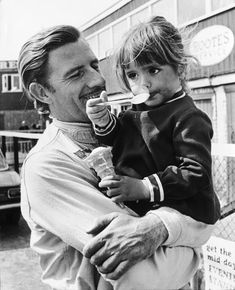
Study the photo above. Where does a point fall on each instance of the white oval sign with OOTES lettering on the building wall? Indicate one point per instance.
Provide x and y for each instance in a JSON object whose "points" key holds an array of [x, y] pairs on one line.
{"points": [[212, 45]]}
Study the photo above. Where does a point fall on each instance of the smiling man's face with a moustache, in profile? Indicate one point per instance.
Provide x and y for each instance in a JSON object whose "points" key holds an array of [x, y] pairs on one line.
{"points": [[74, 77]]}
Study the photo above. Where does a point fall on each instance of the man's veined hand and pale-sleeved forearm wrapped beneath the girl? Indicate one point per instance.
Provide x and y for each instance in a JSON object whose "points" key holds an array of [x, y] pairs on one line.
{"points": [[121, 241]]}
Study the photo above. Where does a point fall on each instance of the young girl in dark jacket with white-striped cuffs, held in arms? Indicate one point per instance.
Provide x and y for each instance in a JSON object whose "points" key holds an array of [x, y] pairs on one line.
{"points": [[162, 147]]}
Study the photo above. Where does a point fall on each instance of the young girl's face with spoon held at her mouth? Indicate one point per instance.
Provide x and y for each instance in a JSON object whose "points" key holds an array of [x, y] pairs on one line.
{"points": [[161, 81]]}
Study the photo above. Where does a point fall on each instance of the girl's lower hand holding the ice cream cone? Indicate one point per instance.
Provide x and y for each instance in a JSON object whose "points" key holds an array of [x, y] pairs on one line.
{"points": [[124, 188]]}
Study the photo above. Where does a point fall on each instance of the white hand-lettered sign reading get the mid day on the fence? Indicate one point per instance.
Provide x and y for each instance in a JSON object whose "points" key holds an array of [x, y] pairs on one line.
{"points": [[219, 264]]}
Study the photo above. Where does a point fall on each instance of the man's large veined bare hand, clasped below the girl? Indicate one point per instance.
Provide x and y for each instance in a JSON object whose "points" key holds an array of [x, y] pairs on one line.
{"points": [[121, 241]]}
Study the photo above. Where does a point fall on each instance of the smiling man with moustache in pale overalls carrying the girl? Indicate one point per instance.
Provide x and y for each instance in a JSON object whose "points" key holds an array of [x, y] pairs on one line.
{"points": [[84, 240]]}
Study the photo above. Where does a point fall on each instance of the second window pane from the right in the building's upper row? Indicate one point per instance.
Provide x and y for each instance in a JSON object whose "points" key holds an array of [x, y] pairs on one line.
{"points": [[189, 10]]}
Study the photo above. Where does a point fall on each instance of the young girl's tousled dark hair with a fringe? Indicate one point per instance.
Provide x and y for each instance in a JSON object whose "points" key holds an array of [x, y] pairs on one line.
{"points": [[156, 40]]}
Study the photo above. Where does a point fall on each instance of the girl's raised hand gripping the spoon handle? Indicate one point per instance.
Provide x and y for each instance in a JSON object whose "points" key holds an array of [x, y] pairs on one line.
{"points": [[97, 111]]}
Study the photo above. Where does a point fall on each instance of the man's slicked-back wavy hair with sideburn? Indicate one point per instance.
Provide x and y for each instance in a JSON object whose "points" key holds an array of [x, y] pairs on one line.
{"points": [[33, 57]]}
